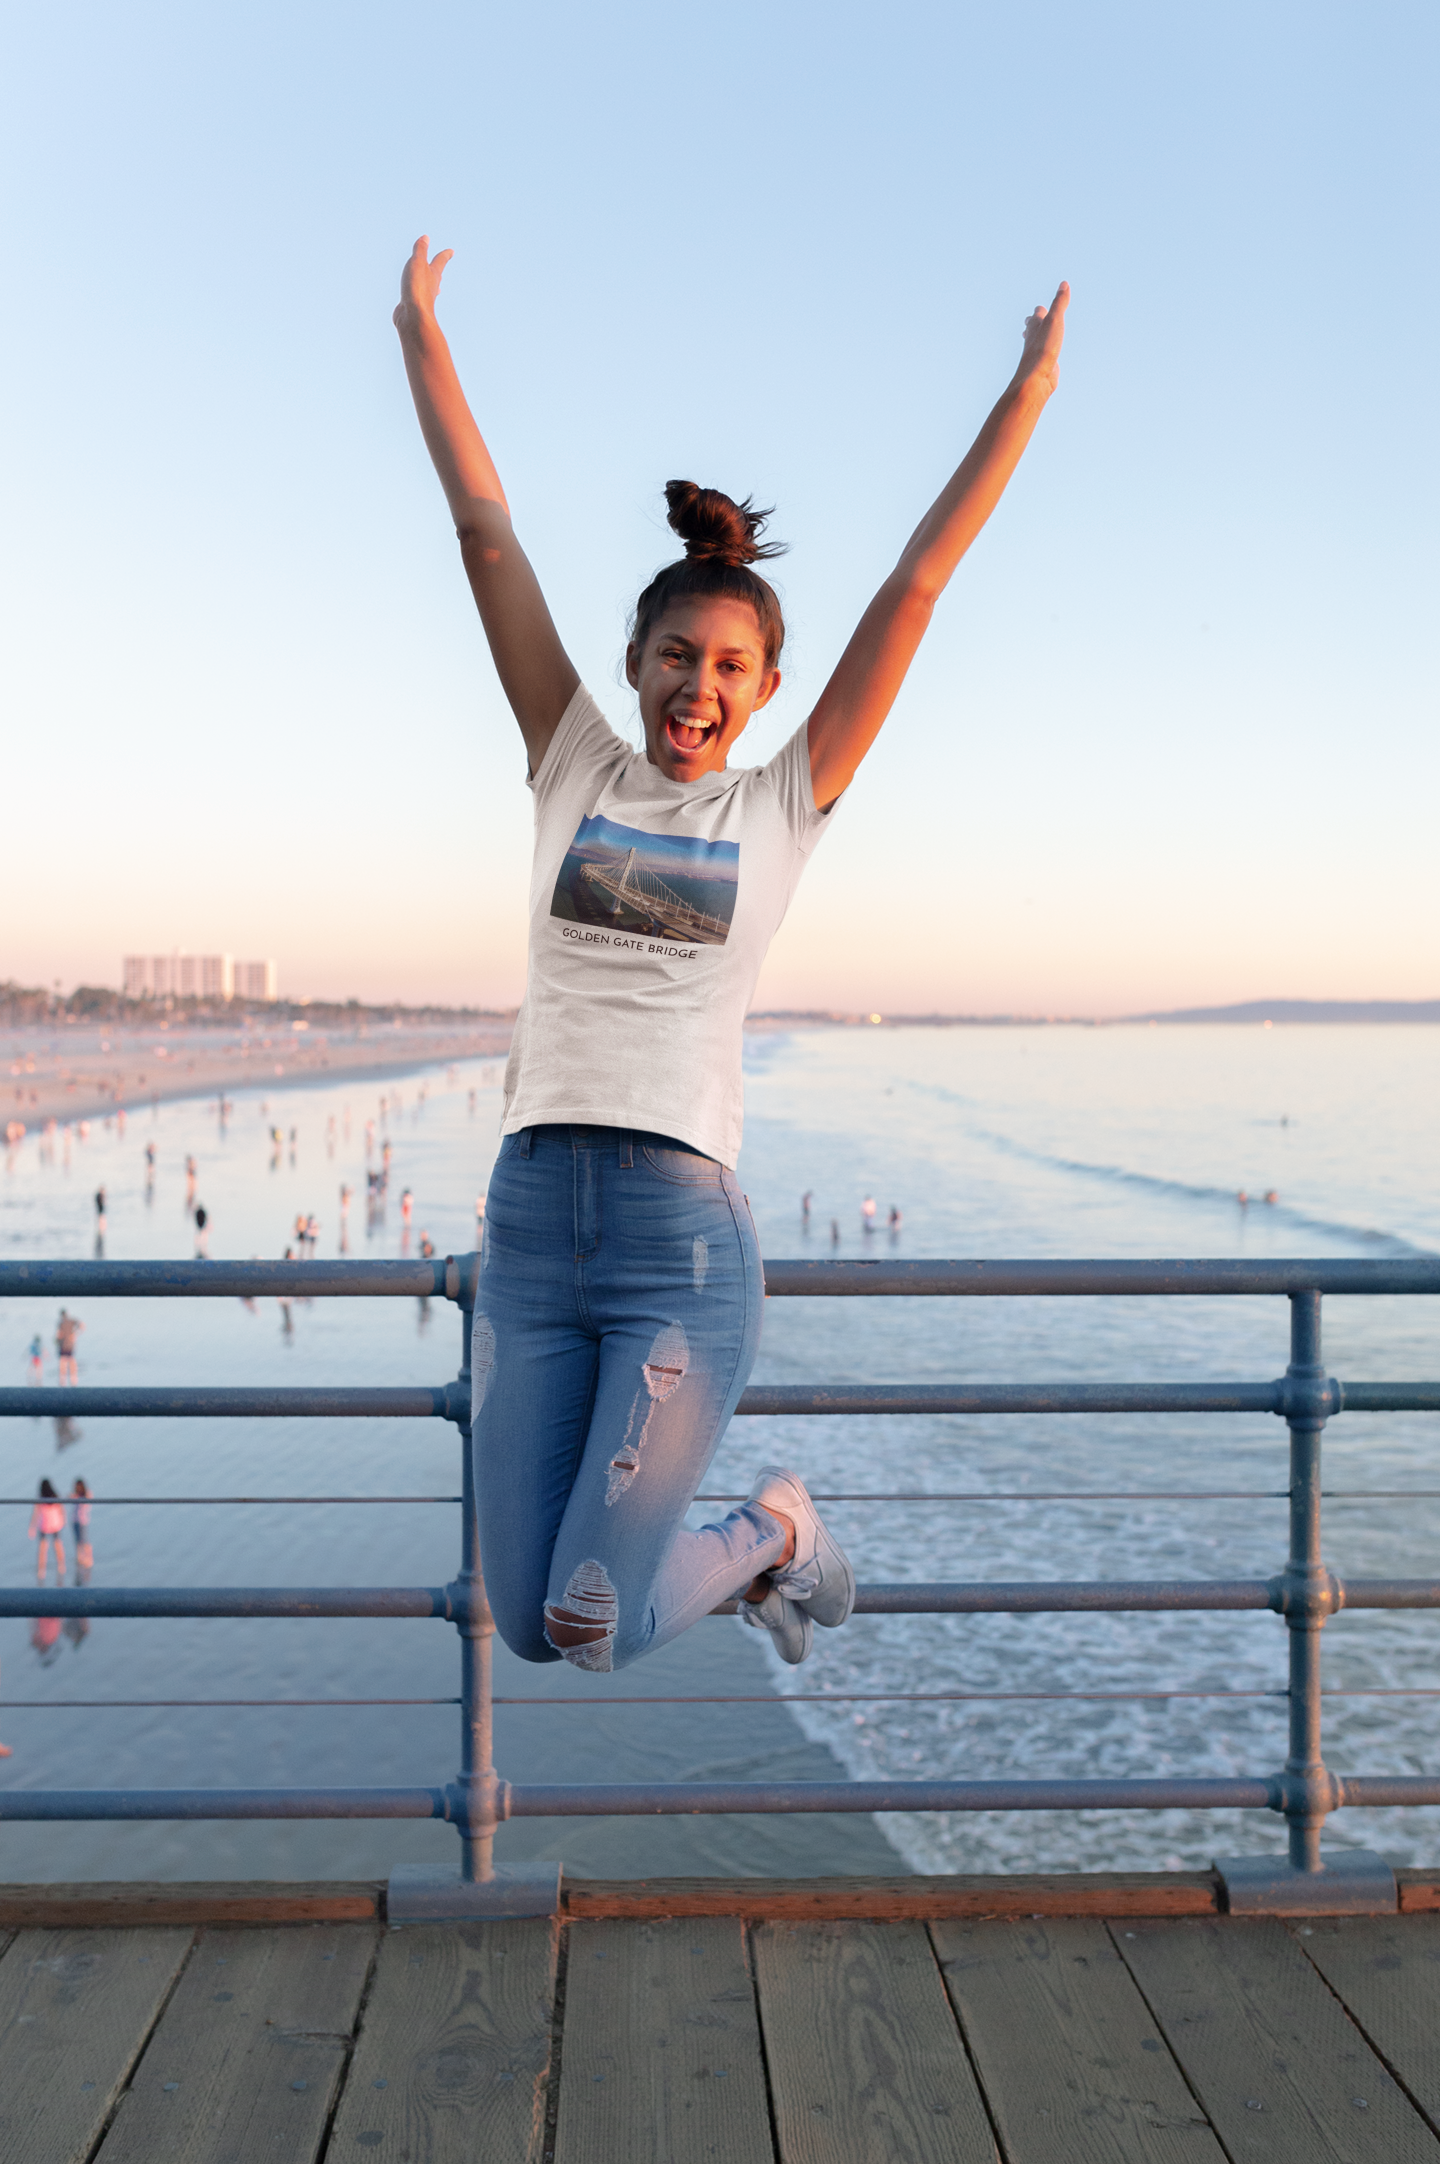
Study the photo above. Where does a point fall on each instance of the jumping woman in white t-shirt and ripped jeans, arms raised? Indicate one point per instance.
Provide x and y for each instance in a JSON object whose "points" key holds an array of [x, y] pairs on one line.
{"points": [[618, 1308]]}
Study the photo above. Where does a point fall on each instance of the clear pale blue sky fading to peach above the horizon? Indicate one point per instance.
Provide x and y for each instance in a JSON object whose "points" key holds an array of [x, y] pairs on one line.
{"points": [[1173, 737]]}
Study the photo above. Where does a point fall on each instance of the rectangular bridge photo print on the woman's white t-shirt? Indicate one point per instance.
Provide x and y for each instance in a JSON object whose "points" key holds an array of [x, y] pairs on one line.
{"points": [[664, 886]]}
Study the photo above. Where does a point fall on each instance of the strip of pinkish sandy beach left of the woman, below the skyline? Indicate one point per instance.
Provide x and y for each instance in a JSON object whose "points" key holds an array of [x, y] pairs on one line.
{"points": [[75, 1070]]}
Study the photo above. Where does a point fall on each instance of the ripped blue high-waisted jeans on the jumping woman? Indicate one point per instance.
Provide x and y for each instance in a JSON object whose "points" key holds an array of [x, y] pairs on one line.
{"points": [[616, 1325]]}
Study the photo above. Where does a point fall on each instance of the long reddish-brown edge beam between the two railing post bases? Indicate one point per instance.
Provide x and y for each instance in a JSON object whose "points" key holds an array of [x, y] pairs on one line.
{"points": [[817, 1901]]}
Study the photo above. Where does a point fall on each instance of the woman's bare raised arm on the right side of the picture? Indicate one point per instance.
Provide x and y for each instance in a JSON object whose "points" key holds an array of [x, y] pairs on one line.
{"points": [[861, 694]]}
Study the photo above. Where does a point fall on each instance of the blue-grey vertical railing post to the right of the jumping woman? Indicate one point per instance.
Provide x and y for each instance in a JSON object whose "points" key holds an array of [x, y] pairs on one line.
{"points": [[1311, 1596]]}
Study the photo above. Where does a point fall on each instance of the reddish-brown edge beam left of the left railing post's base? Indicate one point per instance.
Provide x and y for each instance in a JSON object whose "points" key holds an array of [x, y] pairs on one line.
{"points": [[112, 1905]]}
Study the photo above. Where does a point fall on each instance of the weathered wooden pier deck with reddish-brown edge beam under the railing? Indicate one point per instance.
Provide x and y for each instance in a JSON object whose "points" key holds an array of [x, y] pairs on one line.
{"points": [[742, 2022]]}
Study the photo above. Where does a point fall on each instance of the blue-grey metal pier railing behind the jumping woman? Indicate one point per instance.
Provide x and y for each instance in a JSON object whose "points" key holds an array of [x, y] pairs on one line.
{"points": [[1305, 1594]]}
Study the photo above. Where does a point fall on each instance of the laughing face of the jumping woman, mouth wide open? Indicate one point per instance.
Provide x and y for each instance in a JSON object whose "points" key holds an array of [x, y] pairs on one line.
{"points": [[701, 676]]}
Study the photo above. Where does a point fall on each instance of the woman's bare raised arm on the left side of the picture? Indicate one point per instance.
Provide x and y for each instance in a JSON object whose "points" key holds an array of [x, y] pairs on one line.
{"points": [[538, 676]]}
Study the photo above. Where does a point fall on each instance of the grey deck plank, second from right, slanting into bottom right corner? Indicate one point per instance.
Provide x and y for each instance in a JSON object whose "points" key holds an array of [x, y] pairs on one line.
{"points": [[1281, 2070]]}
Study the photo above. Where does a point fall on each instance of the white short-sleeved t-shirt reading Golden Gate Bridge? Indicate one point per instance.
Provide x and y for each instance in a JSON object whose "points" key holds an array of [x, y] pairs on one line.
{"points": [[653, 906]]}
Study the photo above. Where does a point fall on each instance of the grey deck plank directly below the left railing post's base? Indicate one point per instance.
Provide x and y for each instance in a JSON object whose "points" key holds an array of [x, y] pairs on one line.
{"points": [[454, 2048]]}
